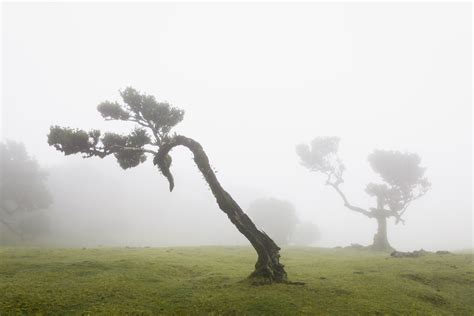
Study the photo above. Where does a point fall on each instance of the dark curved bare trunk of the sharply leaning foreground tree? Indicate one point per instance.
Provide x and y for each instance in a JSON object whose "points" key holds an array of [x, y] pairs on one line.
{"points": [[268, 264]]}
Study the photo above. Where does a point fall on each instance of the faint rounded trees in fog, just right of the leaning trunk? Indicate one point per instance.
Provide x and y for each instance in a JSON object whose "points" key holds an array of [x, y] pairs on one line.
{"points": [[278, 219]]}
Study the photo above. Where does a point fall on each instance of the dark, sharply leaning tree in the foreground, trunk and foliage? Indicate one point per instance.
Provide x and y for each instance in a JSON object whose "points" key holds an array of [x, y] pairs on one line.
{"points": [[151, 137]]}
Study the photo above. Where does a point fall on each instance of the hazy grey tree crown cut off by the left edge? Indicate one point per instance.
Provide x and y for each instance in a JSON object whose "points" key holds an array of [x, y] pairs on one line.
{"points": [[22, 192]]}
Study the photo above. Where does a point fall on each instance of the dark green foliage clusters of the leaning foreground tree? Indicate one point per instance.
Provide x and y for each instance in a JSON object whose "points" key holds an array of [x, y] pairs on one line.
{"points": [[154, 121]]}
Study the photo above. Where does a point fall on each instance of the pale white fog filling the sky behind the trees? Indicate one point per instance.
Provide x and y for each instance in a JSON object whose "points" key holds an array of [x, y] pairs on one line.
{"points": [[255, 80]]}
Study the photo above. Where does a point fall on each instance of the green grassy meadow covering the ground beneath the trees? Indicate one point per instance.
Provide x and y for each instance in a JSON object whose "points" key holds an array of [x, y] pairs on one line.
{"points": [[211, 280]]}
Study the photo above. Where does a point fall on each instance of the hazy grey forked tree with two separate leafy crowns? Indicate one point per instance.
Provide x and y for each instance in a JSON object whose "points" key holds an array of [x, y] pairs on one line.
{"points": [[403, 181]]}
